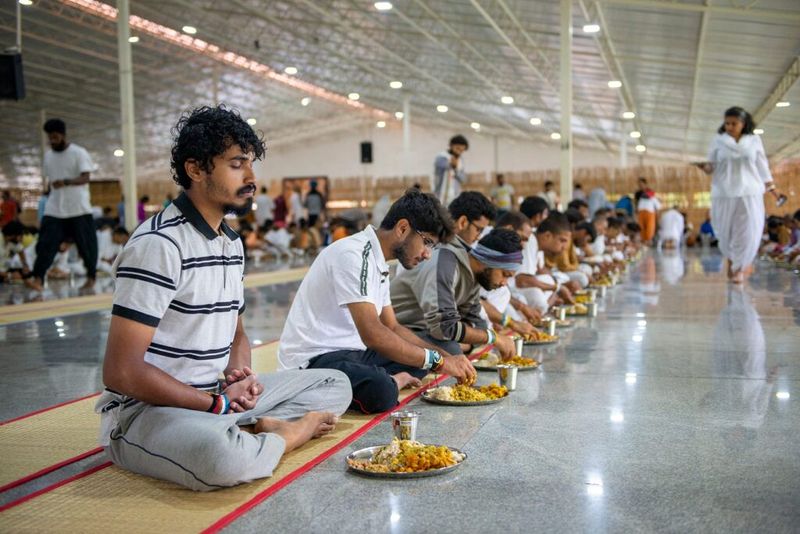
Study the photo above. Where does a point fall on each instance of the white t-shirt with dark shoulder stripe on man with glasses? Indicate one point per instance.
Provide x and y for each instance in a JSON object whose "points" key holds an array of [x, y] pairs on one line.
{"points": [[350, 270]]}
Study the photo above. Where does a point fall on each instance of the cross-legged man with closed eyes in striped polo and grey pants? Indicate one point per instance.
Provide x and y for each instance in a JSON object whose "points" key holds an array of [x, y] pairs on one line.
{"points": [[176, 327]]}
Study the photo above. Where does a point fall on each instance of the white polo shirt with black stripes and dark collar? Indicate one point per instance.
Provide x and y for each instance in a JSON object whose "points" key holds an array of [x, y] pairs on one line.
{"points": [[179, 275]]}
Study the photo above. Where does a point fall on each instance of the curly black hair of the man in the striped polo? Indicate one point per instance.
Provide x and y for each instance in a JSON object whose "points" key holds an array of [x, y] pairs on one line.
{"points": [[207, 132]]}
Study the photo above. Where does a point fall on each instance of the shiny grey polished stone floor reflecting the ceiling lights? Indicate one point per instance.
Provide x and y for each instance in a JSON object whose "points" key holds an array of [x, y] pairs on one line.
{"points": [[674, 410]]}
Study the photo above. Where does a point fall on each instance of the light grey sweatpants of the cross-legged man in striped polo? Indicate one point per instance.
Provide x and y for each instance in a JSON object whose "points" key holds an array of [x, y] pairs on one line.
{"points": [[204, 451]]}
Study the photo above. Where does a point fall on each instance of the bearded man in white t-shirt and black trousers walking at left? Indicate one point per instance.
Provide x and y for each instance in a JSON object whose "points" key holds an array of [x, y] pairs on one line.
{"points": [[68, 212]]}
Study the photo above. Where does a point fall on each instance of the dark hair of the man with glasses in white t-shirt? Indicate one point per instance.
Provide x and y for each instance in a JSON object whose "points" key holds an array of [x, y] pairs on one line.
{"points": [[424, 213]]}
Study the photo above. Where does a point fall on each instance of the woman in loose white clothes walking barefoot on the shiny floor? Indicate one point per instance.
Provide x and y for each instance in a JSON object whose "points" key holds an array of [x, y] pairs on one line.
{"points": [[740, 176]]}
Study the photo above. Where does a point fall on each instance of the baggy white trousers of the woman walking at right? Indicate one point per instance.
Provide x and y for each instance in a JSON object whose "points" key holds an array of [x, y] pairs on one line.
{"points": [[738, 224]]}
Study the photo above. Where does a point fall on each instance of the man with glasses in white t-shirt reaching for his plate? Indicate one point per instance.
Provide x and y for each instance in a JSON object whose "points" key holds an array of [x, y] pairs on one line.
{"points": [[342, 317]]}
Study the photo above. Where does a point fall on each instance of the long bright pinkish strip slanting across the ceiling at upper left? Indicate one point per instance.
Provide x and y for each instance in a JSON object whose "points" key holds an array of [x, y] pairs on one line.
{"points": [[178, 38]]}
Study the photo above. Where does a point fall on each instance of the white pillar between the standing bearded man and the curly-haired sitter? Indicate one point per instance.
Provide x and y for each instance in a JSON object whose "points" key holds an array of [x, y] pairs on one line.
{"points": [[126, 106]]}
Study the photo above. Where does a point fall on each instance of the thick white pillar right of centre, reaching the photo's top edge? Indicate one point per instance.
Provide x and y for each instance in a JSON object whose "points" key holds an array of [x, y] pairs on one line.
{"points": [[565, 69]]}
